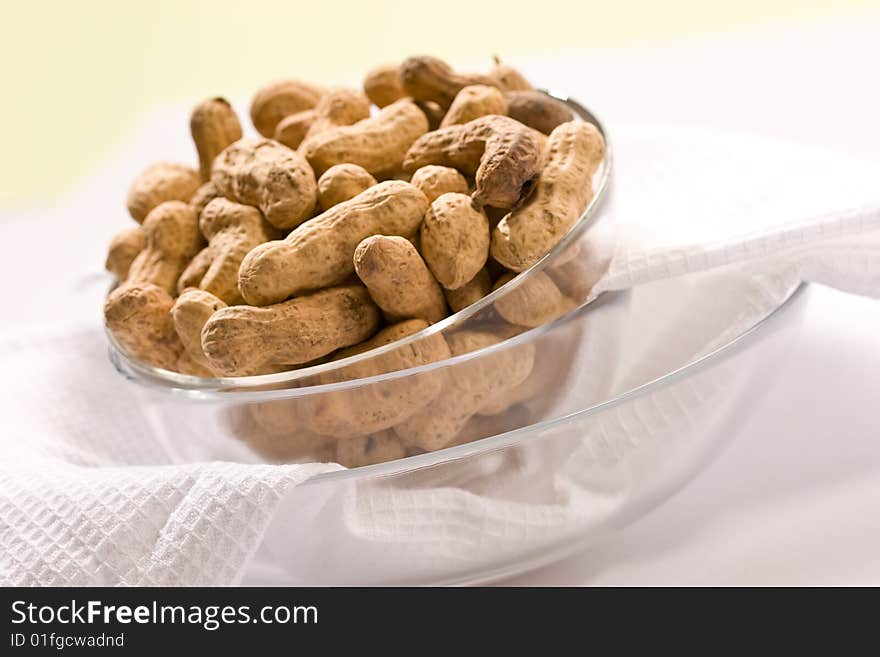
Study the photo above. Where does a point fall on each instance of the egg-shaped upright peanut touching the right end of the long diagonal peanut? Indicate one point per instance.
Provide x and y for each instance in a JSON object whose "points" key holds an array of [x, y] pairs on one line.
{"points": [[455, 240]]}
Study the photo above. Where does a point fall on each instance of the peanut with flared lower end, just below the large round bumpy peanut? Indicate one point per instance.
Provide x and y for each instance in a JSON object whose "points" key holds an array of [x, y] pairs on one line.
{"points": [[232, 231]]}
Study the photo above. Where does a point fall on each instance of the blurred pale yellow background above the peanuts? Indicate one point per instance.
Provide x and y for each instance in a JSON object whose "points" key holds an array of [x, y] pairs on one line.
{"points": [[77, 76]]}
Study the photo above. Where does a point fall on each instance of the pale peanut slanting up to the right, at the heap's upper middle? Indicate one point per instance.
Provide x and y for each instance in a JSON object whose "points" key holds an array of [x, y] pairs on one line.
{"points": [[378, 144]]}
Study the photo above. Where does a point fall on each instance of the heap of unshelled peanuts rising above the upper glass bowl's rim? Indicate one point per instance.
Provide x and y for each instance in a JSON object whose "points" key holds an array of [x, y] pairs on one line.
{"points": [[343, 227]]}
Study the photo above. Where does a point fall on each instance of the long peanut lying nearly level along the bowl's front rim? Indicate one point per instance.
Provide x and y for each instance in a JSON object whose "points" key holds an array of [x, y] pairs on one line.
{"points": [[244, 340]]}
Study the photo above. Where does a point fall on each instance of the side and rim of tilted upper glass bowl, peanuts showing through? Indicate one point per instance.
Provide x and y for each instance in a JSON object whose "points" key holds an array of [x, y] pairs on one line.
{"points": [[474, 374]]}
